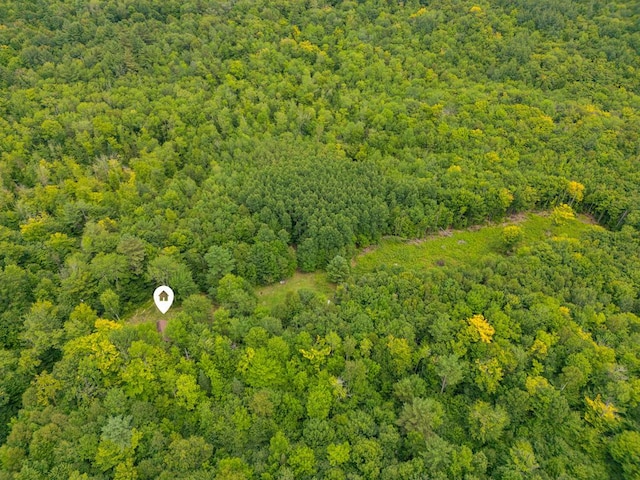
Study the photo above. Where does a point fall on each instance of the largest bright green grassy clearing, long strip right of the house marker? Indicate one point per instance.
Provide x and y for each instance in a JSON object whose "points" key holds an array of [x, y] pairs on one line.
{"points": [[465, 246]]}
